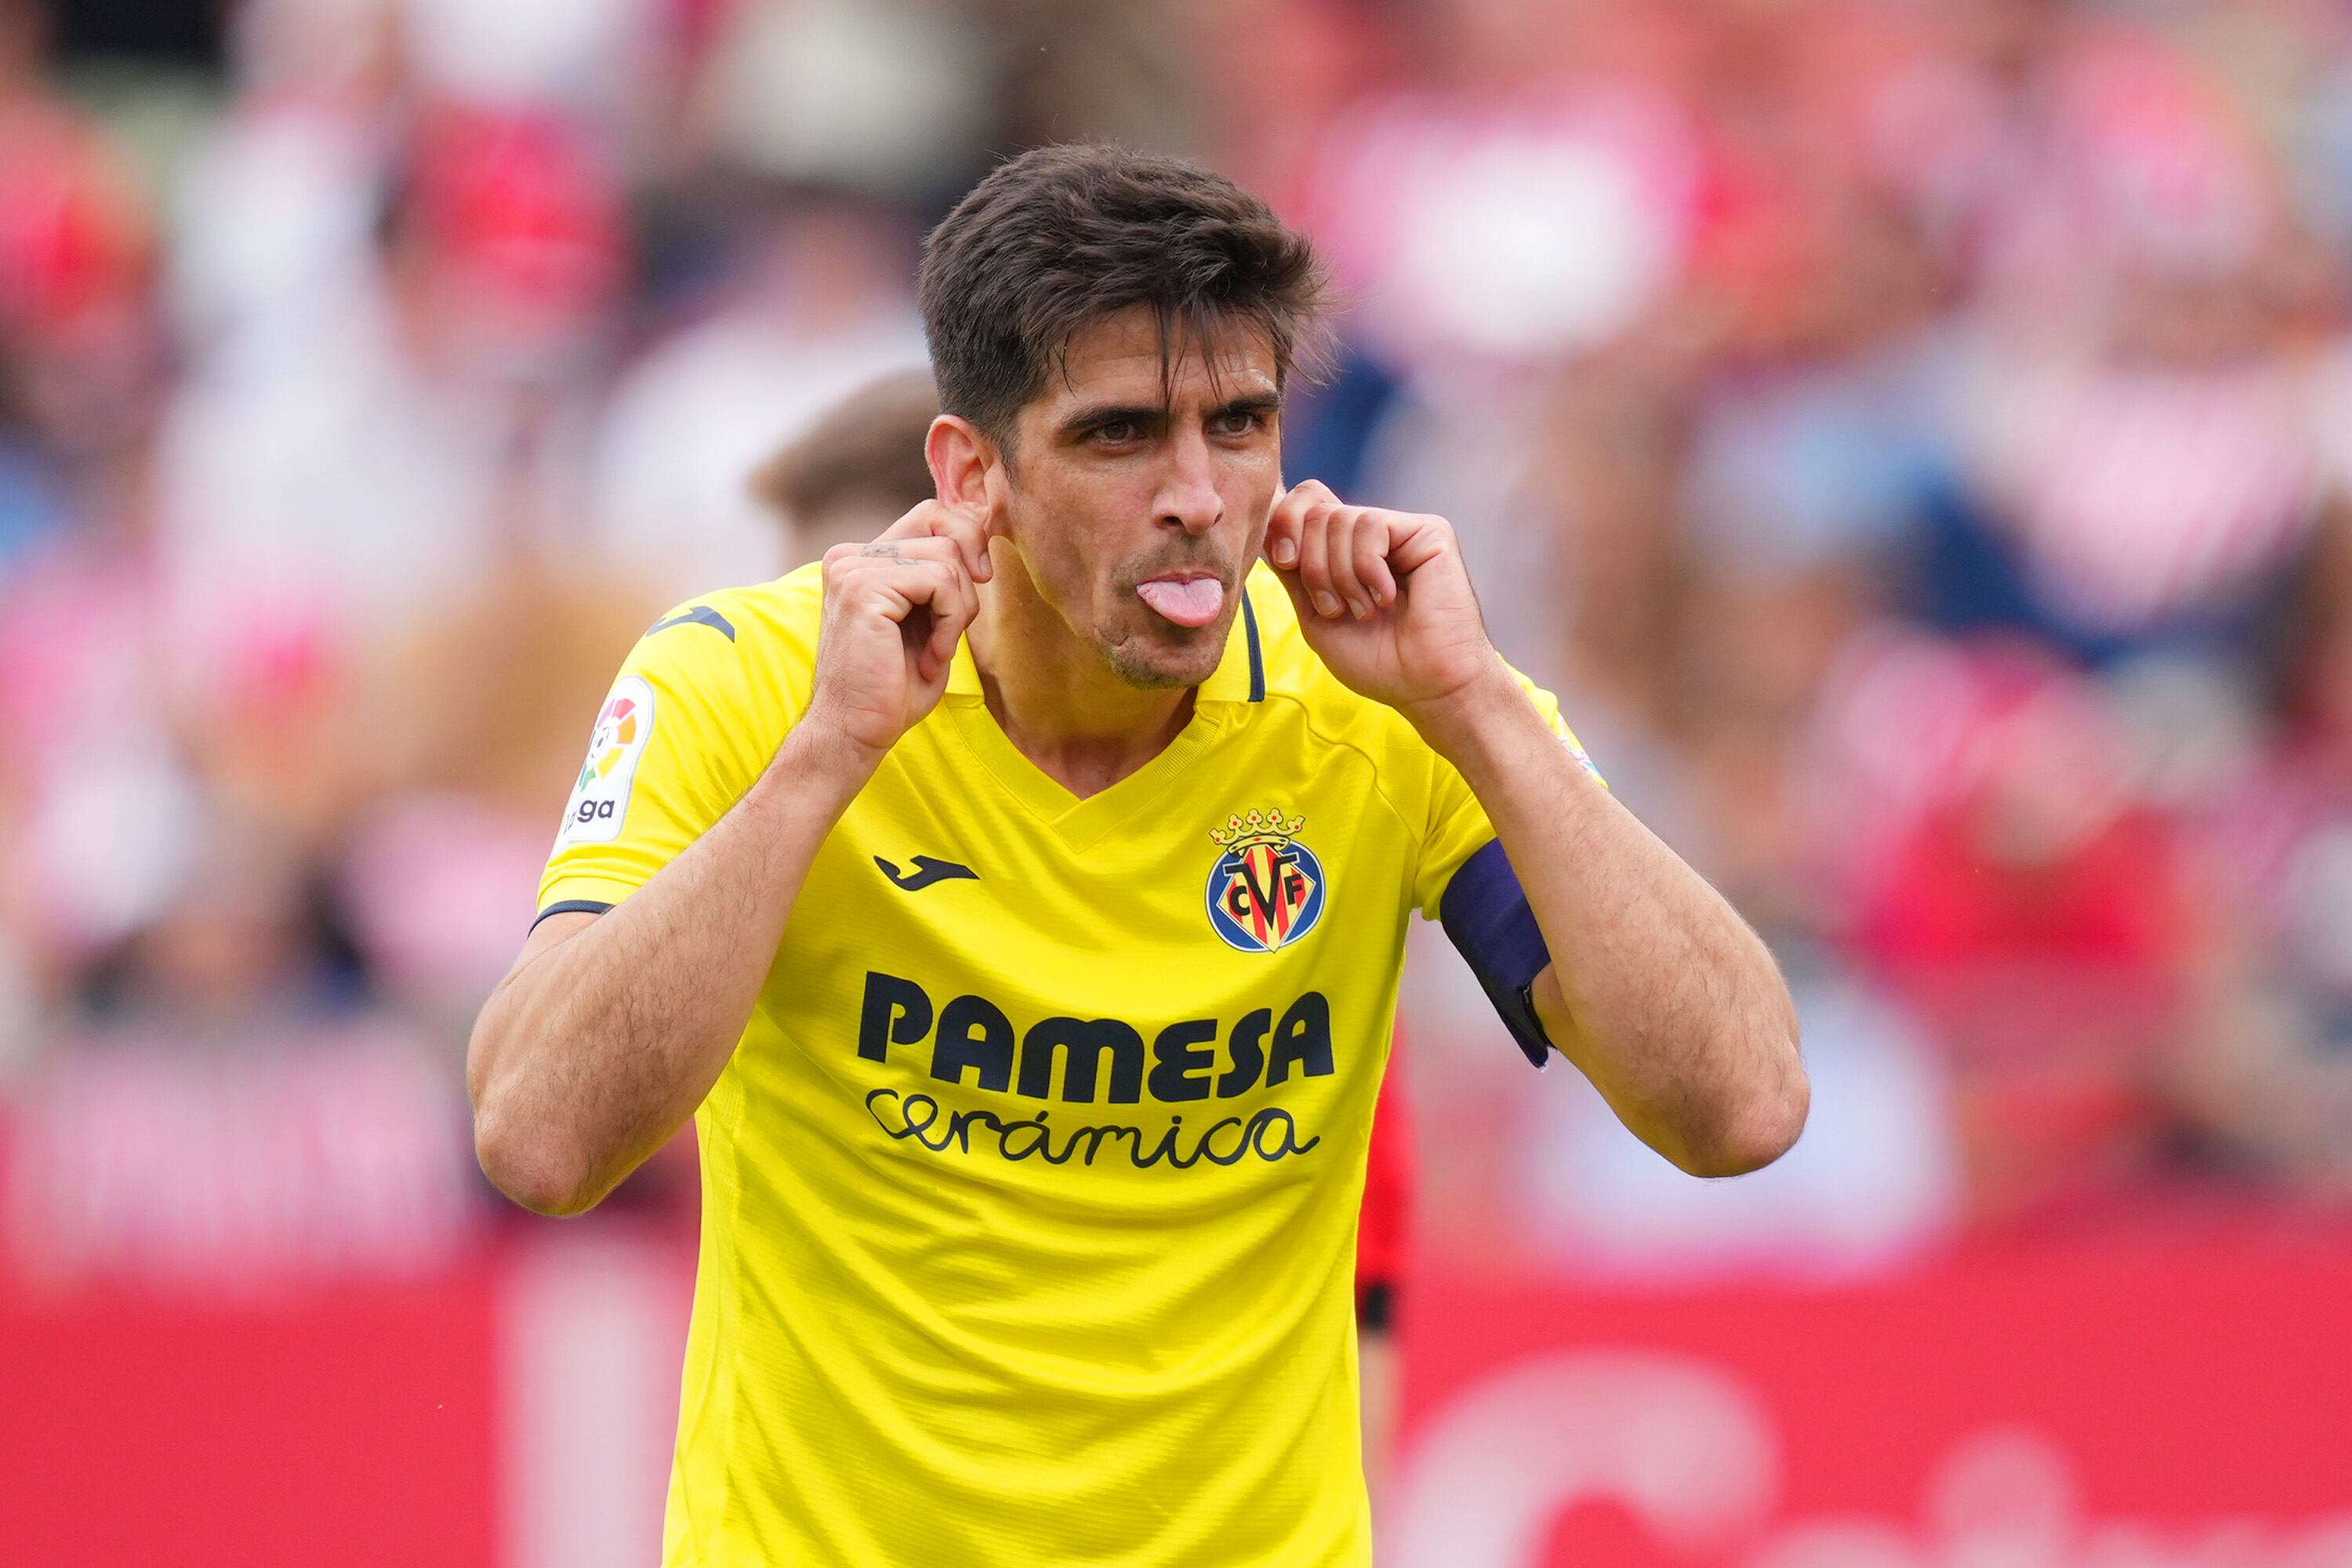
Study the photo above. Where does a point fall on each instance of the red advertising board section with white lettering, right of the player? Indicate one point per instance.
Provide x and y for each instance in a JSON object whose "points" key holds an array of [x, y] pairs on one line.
{"points": [[2109, 1407]]}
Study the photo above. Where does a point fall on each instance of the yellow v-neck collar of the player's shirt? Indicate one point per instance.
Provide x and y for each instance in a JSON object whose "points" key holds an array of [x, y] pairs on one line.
{"points": [[1238, 681]]}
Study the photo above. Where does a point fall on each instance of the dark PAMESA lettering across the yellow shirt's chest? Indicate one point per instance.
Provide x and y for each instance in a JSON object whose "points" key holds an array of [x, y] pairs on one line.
{"points": [[1182, 1064]]}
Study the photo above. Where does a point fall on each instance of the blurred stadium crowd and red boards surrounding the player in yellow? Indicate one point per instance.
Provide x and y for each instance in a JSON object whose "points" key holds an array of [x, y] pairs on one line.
{"points": [[1911, 434]]}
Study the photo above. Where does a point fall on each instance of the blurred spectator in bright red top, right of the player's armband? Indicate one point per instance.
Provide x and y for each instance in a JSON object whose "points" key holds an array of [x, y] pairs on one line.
{"points": [[2033, 911]]}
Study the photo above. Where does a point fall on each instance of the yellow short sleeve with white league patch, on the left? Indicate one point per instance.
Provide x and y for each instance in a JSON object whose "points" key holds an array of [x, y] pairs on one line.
{"points": [[681, 737]]}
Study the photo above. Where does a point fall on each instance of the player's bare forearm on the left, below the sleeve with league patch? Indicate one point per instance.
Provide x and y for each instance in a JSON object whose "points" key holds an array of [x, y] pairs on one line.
{"points": [[594, 1052]]}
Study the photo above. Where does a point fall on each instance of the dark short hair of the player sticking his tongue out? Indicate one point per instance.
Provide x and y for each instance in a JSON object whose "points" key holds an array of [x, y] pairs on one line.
{"points": [[1064, 236]]}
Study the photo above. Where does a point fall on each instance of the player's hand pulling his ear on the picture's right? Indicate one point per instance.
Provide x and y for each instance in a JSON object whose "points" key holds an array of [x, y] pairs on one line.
{"points": [[1382, 598]]}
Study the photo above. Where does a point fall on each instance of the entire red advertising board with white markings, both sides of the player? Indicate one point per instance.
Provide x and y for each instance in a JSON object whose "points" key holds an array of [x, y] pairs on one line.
{"points": [[2181, 1405]]}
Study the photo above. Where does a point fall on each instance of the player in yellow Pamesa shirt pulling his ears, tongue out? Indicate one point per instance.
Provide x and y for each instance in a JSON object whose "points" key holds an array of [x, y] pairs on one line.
{"points": [[1017, 906]]}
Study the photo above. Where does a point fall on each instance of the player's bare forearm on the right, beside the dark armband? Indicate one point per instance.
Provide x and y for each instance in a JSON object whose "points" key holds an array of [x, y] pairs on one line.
{"points": [[1657, 989]]}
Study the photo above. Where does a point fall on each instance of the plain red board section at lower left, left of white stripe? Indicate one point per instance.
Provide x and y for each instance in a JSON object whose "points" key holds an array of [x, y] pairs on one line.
{"points": [[347, 1428]]}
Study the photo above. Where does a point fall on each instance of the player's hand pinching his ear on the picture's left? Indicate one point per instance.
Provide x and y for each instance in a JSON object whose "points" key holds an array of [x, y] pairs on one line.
{"points": [[895, 612]]}
